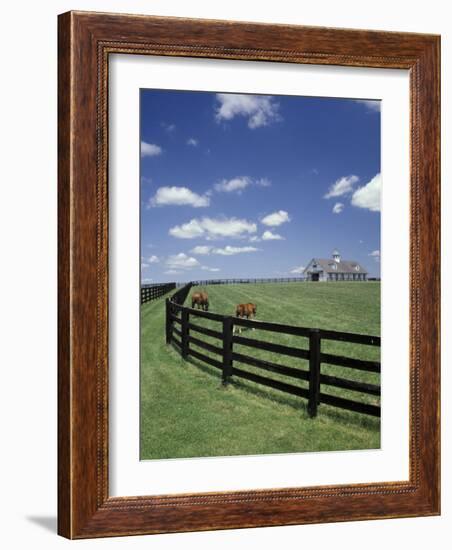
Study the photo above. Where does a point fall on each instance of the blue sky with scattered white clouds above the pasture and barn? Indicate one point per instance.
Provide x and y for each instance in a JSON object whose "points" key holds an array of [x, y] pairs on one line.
{"points": [[239, 185]]}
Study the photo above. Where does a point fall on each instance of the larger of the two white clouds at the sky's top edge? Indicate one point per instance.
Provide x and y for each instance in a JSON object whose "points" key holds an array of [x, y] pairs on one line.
{"points": [[258, 110]]}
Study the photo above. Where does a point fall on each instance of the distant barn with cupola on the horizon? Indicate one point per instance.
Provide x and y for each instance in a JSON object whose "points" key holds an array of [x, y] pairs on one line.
{"points": [[334, 269]]}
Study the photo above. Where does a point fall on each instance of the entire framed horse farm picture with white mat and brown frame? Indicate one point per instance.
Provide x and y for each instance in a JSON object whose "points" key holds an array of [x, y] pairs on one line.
{"points": [[248, 275]]}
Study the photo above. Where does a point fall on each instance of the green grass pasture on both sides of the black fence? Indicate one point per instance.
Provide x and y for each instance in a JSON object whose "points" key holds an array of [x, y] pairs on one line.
{"points": [[186, 412]]}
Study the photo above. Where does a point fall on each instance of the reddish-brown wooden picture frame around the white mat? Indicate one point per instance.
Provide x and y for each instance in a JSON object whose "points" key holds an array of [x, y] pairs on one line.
{"points": [[85, 42]]}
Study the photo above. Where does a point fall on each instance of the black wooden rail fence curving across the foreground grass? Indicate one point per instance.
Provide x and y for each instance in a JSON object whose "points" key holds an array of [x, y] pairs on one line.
{"points": [[184, 334]]}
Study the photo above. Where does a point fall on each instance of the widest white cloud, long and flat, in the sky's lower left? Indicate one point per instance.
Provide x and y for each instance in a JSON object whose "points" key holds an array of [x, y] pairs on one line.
{"points": [[211, 228]]}
